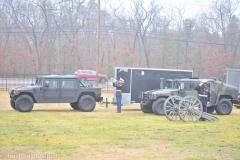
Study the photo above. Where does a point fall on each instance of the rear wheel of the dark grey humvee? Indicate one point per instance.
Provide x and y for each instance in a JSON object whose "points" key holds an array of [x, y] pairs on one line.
{"points": [[86, 103]]}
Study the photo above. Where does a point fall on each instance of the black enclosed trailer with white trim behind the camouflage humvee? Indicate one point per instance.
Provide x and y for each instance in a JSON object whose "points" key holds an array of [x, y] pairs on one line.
{"points": [[144, 79]]}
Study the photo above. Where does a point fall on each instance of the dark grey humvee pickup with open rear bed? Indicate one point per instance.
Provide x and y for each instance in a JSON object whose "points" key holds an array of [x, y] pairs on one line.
{"points": [[55, 89]]}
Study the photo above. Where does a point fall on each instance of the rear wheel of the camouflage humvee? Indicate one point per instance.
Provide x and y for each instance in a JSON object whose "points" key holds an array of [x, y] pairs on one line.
{"points": [[224, 107]]}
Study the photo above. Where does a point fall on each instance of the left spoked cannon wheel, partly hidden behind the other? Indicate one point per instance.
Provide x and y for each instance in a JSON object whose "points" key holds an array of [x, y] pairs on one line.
{"points": [[171, 107]]}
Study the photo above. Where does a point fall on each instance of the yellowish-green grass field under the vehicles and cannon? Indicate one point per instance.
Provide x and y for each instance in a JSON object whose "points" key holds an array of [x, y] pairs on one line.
{"points": [[55, 131]]}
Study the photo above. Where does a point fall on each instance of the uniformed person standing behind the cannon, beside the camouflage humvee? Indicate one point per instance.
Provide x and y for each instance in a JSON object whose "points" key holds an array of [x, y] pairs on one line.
{"points": [[204, 96]]}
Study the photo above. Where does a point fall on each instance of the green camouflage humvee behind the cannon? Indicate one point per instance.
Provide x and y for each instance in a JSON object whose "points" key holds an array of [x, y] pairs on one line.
{"points": [[222, 96]]}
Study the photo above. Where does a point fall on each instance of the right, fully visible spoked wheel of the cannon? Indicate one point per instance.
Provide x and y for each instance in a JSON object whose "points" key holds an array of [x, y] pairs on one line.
{"points": [[190, 109]]}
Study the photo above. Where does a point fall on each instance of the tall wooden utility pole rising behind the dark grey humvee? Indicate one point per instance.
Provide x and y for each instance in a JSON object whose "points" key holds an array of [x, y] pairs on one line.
{"points": [[98, 43]]}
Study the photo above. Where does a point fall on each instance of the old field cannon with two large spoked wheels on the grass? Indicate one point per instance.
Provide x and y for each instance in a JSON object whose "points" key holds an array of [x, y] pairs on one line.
{"points": [[187, 109]]}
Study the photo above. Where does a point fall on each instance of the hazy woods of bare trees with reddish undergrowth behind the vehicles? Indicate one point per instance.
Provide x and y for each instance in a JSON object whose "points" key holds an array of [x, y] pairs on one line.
{"points": [[59, 36]]}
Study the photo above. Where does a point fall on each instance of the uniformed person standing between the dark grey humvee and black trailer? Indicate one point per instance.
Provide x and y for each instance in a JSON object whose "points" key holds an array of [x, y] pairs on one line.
{"points": [[118, 84]]}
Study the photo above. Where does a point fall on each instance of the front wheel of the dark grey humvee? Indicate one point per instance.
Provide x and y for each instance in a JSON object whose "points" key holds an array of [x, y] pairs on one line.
{"points": [[24, 103]]}
